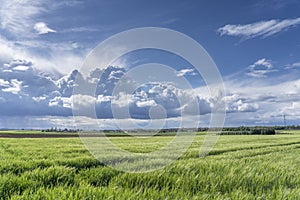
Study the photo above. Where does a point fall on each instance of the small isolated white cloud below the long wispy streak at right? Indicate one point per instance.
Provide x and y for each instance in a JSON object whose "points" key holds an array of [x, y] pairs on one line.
{"points": [[260, 68]]}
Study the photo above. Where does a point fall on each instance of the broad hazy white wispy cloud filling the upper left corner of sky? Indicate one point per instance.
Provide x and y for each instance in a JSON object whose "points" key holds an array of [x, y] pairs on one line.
{"points": [[18, 20]]}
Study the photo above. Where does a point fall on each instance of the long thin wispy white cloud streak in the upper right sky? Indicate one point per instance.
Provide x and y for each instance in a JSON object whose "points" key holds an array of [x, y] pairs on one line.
{"points": [[258, 29]]}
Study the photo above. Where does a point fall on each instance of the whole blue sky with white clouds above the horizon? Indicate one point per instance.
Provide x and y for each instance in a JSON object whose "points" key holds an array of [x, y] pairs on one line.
{"points": [[254, 44]]}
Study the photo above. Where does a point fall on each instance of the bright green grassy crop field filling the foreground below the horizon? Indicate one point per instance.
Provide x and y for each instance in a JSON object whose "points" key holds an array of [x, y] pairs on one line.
{"points": [[239, 167]]}
